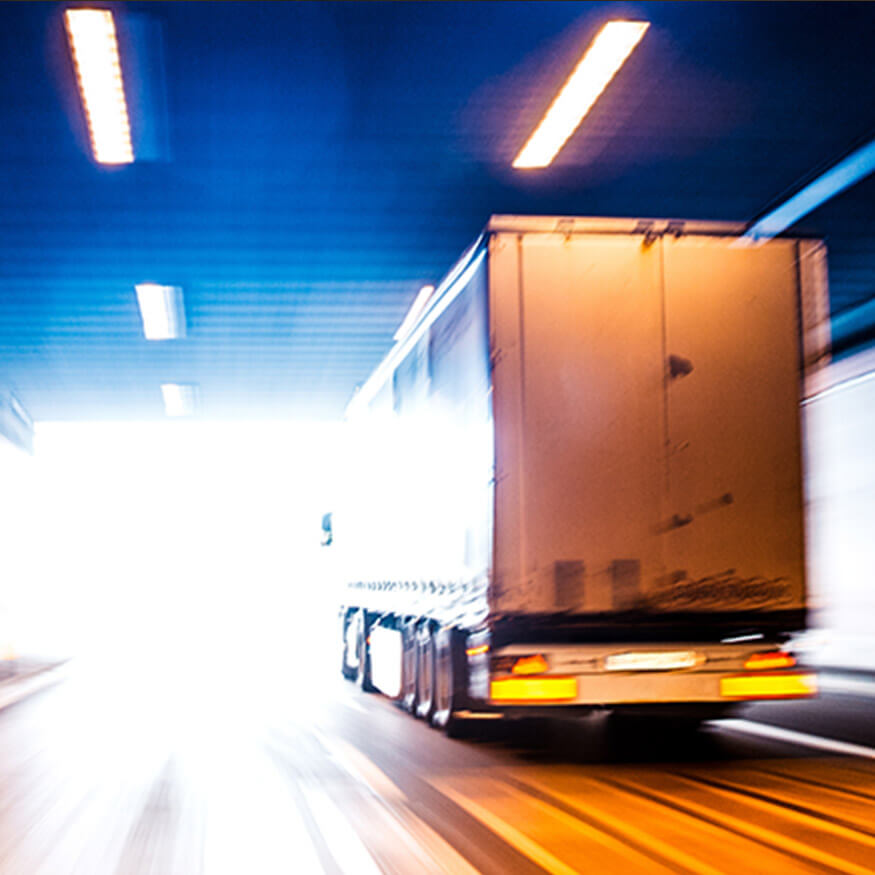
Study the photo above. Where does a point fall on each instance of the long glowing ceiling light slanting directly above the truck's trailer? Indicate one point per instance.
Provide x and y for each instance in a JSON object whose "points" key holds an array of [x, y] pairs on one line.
{"points": [[599, 64]]}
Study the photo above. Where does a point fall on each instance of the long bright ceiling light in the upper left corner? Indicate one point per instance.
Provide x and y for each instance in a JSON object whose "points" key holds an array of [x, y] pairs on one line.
{"points": [[94, 47]]}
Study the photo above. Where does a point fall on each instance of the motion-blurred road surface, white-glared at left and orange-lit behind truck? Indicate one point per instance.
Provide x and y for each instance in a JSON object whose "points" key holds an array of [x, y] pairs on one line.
{"points": [[102, 774]]}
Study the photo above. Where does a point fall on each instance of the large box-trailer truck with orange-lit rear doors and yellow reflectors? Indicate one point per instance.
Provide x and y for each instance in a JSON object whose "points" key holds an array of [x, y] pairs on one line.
{"points": [[575, 481]]}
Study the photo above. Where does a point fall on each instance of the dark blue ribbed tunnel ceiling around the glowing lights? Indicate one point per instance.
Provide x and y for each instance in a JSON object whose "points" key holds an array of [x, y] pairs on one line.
{"points": [[302, 169]]}
